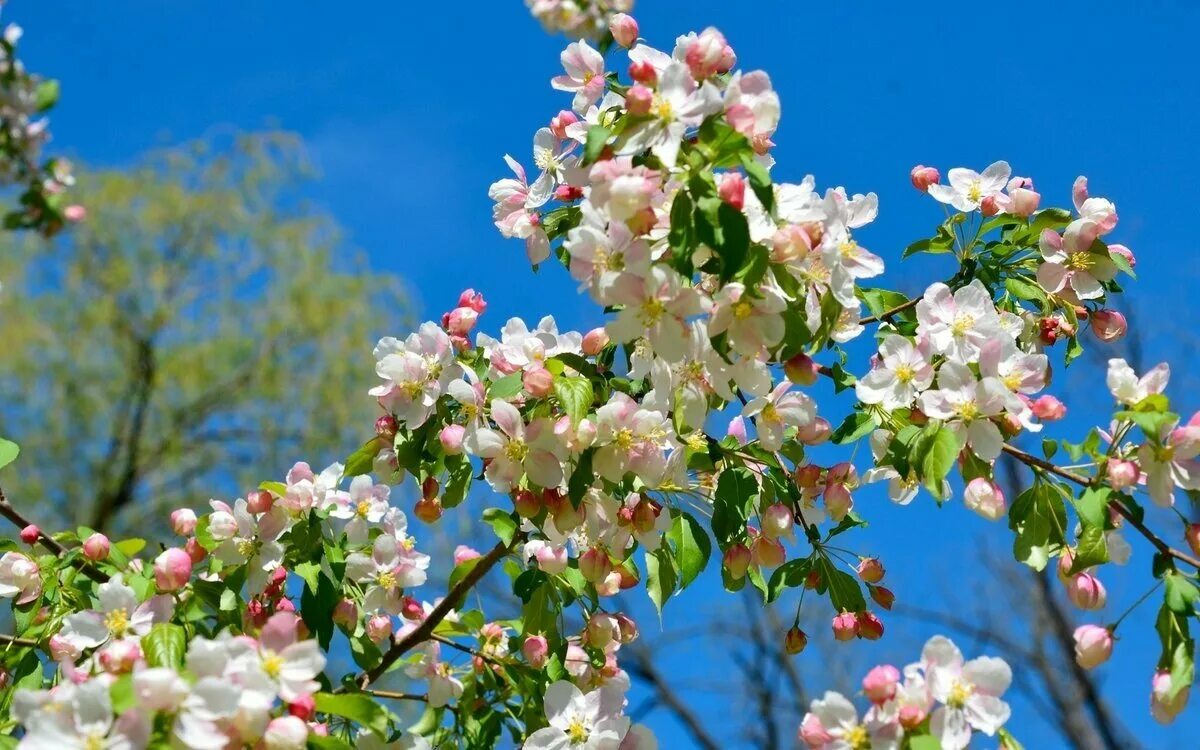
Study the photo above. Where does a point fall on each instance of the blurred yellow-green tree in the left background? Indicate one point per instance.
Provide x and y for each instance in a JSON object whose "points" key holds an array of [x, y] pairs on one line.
{"points": [[202, 327]]}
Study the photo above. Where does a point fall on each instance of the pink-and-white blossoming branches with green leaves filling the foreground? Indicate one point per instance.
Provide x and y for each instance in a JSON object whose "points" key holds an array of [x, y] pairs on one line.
{"points": [[673, 439]]}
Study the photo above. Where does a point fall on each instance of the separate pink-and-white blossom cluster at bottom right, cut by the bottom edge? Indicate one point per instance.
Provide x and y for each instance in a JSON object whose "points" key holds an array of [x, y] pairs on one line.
{"points": [[941, 695]]}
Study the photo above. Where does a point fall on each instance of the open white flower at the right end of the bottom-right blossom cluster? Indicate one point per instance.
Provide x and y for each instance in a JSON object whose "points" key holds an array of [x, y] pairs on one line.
{"points": [[970, 693]]}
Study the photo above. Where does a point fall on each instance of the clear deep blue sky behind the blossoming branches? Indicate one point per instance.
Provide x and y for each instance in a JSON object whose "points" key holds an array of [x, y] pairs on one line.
{"points": [[410, 107]]}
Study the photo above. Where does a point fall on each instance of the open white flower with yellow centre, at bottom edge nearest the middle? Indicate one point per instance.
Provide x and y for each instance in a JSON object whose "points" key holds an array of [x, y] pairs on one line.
{"points": [[578, 722]]}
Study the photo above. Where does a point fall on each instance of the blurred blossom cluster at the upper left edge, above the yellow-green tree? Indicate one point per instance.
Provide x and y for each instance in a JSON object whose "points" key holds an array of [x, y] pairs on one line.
{"points": [[25, 130]]}
